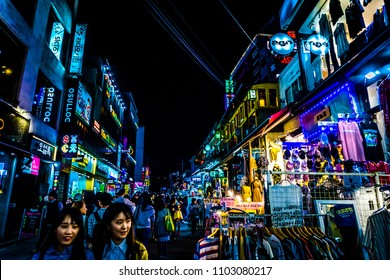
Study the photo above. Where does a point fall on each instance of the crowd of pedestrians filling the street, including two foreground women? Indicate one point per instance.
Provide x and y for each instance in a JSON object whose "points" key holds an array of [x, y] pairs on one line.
{"points": [[106, 227]]}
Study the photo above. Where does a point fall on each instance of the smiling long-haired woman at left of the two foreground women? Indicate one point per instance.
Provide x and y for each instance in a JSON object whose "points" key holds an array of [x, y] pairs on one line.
{"points": [[65, 239]]}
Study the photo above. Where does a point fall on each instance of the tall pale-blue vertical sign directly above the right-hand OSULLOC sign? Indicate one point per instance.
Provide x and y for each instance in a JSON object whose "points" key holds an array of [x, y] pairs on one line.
{"points": [[76, 62]]}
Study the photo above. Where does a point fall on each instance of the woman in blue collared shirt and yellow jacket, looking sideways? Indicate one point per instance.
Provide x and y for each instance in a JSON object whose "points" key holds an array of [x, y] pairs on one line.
{"points": [[115, 238]]}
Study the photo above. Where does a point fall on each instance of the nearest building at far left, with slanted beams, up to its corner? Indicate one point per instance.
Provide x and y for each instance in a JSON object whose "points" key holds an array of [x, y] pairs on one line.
{"points": [[35, 47]]}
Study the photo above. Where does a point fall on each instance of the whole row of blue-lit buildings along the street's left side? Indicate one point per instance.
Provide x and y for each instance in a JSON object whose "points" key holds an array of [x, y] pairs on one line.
{"points": [[64, 124]]}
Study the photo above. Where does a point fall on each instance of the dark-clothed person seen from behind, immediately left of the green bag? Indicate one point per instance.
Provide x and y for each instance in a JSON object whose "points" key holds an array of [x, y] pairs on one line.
{"points": [[160, 233]]}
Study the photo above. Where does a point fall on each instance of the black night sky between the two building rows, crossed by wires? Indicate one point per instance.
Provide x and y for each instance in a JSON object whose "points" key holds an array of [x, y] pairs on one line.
{"points": [[173, 56]]}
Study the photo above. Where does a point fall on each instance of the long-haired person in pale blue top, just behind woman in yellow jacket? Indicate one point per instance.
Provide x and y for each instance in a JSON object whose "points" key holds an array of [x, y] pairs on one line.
{"points": [[144, 218]]}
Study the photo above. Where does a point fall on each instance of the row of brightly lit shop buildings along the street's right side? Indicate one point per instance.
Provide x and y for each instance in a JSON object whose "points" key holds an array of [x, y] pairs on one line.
{"points": [[325, 147]]}
